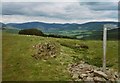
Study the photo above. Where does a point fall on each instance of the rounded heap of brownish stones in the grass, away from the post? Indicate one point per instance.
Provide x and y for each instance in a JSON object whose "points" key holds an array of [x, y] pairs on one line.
{"points": [[45, 50]]}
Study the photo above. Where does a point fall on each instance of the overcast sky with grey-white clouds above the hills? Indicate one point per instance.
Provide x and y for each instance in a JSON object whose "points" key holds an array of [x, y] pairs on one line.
{"points": [[59, 12]]}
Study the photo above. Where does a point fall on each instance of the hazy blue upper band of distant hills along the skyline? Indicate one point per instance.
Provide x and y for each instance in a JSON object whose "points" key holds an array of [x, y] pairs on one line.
{"points": [[55, 26]]}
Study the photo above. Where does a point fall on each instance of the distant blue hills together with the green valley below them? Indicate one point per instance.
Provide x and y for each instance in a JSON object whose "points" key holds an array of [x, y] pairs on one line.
{"points": [[80, 31]]}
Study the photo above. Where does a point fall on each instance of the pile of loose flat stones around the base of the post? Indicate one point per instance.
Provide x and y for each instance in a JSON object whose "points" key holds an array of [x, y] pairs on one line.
{"points": [[85, 72]]}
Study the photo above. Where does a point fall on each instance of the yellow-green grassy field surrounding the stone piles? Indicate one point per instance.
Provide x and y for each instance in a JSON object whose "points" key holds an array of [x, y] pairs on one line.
{"points": [[18, 65]]}
